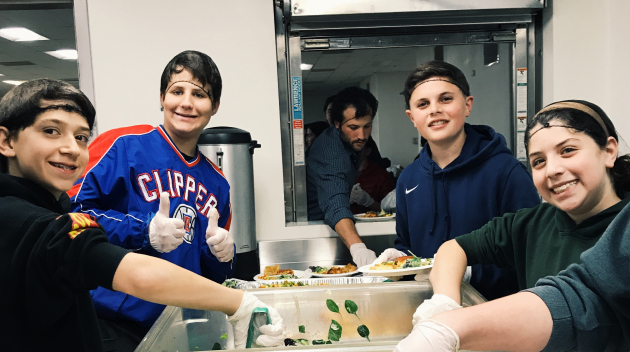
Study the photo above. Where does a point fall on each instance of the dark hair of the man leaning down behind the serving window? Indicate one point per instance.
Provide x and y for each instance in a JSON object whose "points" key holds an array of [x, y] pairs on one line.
{"points": [[361, 99]]}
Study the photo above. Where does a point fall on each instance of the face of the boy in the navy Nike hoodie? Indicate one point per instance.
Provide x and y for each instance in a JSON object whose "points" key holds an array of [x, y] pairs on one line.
{"points": [[438, 109]]}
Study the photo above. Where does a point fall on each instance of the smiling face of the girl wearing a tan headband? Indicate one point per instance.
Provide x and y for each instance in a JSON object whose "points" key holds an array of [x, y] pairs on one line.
{"points": [[570, 170]]}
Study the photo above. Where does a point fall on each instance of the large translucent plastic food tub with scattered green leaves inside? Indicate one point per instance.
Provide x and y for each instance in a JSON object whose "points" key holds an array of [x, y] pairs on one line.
{"points": [[386, 308]]}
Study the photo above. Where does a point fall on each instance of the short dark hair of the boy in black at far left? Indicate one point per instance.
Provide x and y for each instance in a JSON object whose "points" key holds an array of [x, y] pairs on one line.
{"points": [[21, 106]]}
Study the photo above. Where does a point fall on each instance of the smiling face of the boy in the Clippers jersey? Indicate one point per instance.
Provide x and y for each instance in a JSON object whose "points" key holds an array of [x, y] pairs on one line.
{"points": [[187, 108]]}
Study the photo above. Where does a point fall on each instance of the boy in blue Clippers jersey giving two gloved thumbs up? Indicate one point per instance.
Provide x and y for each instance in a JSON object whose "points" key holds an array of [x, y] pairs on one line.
{"points": [[154, 192]]}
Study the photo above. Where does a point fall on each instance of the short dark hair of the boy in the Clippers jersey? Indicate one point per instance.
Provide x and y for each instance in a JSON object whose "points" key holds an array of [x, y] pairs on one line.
{"points": [[200, 66]]}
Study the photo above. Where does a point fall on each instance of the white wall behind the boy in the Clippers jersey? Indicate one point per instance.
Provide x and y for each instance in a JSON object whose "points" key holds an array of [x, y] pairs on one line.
{"points": [[132, 41]]}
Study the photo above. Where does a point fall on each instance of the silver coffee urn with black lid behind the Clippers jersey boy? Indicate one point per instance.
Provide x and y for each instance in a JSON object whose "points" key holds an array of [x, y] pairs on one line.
{"points": [[232, 150]]}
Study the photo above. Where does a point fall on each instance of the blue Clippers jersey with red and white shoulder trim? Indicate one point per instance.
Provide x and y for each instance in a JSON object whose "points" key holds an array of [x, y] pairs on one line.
{"points": [[122, 190]]}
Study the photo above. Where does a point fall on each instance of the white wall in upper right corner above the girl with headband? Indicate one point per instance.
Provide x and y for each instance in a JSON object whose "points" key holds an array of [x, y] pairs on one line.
{"points": [[585, 55]]}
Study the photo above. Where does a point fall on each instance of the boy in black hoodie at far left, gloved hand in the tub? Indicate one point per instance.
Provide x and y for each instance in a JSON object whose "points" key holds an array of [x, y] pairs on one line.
{"points": [[51, 259]]}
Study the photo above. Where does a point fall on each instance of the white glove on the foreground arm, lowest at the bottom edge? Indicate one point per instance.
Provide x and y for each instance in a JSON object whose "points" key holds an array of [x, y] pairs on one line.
{"points": [[429, 336]]}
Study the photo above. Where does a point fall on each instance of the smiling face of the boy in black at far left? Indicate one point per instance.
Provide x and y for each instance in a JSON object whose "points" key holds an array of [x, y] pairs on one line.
{"points": [[52, 152]]}
